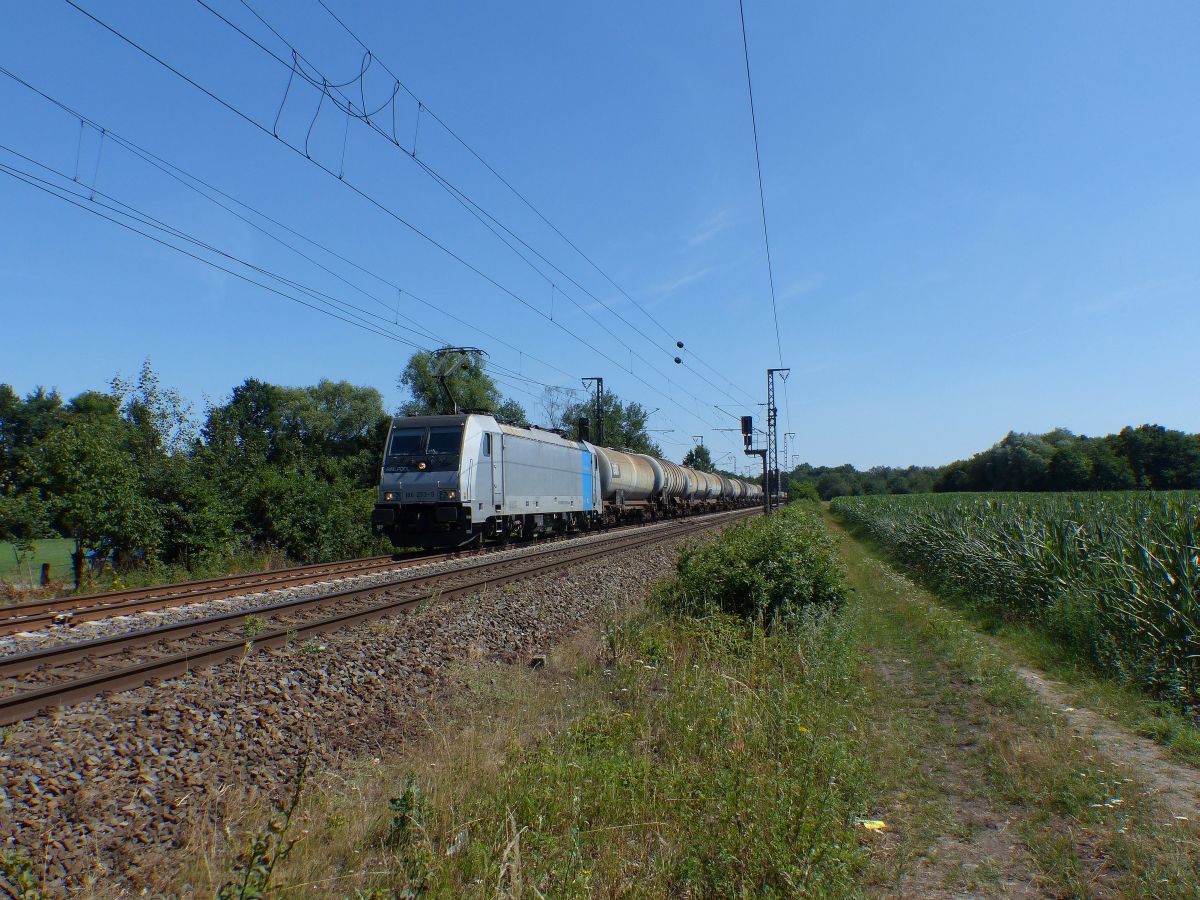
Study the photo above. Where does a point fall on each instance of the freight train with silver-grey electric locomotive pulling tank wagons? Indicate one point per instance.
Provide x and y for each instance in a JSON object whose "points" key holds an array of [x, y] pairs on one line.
{"points": [[460, 481]]}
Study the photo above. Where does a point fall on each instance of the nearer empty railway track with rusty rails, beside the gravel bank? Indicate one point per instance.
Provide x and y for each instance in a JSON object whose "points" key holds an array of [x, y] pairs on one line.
{"points": [[74, 673]]}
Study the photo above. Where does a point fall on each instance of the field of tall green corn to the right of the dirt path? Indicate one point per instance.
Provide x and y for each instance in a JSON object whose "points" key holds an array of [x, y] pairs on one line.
{"points": [[1117, 575]]}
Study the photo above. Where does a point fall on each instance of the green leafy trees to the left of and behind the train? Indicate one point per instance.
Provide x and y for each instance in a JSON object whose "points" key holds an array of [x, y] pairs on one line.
{"points": [[131, 476]]}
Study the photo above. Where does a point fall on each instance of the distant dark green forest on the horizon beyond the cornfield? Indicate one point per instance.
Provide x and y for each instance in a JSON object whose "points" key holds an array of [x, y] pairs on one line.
{"points": [[1145, 458]]}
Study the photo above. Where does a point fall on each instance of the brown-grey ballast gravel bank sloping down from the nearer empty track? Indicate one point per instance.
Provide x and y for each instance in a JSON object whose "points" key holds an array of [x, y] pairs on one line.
{"points": [[101, 796]]}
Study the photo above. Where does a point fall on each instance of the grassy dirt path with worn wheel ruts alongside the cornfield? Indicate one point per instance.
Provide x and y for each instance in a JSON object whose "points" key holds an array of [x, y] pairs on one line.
{"points": [[992, 785]]}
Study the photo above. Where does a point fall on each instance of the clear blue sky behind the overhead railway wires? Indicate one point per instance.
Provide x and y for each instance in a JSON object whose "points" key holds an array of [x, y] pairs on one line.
{"points": [[985, 217]]}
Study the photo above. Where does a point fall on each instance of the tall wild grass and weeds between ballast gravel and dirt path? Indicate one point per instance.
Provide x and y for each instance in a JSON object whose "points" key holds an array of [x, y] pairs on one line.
{"points": [[703, 757]]}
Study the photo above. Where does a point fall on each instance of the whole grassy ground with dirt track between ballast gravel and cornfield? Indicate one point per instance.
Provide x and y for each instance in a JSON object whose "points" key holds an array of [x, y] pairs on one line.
{"points": [[747, 743]]}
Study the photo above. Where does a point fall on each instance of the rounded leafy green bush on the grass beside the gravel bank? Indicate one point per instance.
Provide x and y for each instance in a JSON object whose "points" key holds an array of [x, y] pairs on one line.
{"points": [[766, 571]]}
